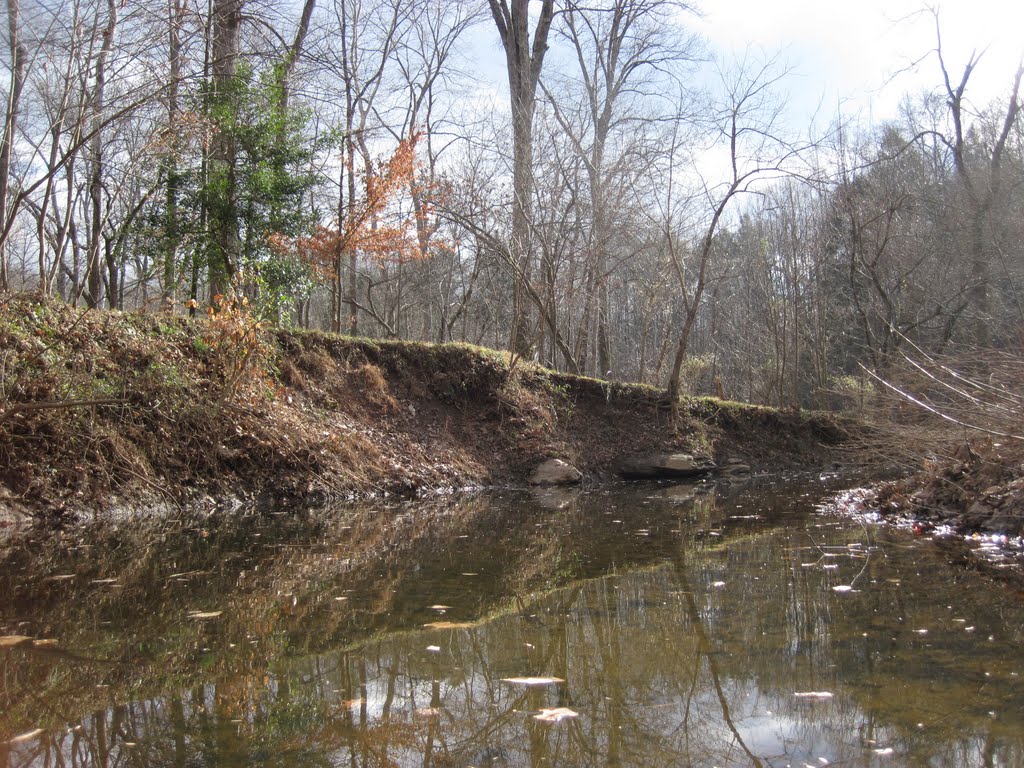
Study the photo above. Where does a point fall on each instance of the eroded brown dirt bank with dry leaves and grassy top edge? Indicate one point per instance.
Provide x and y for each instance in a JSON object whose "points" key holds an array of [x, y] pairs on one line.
{"points": [[102, 409]]}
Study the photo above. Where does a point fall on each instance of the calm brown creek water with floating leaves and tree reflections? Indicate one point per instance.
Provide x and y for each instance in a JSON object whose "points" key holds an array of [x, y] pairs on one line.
{"points": [[686, 627]]}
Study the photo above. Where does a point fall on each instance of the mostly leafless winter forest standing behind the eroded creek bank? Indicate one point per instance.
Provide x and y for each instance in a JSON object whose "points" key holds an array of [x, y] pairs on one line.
{"points": [[608, 209]]}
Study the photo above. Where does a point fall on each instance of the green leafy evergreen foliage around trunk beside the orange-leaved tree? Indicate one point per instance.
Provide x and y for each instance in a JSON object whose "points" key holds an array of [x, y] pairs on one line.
{"points": [[263, 195]]}
